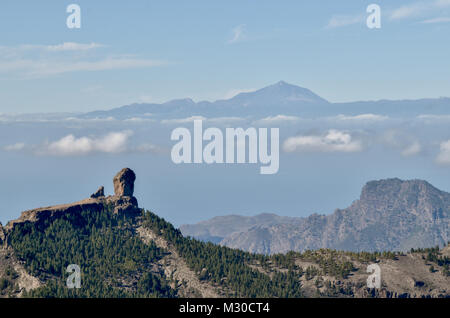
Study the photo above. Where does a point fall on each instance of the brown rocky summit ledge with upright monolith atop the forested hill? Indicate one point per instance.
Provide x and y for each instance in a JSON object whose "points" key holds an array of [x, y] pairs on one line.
{"points": [[123, 202]]}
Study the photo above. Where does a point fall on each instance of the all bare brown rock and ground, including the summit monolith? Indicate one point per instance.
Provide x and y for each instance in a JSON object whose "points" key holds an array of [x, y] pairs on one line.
{"points": [[322, 272]]}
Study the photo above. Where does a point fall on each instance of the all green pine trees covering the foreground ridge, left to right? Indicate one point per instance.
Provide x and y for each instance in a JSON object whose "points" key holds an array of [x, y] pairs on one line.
{"points": [[115, 262]]}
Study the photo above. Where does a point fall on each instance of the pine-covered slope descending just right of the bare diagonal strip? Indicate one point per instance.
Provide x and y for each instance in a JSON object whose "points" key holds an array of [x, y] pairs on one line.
{"points": [[227, 268]]}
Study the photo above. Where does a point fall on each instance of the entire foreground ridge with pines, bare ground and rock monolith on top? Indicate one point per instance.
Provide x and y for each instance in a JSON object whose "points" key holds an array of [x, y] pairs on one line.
{"points": [[139, 254]]}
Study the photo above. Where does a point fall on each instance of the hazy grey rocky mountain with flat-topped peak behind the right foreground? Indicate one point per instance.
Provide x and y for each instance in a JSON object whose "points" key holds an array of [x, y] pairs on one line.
{"points": [[390, 215]]}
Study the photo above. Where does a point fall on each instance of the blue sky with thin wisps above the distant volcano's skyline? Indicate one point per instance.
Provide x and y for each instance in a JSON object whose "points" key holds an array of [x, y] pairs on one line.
{"points": [[155, 51]]}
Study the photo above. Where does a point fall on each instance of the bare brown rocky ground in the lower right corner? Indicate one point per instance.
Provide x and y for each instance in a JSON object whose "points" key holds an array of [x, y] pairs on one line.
{"points": [[406, 276]]}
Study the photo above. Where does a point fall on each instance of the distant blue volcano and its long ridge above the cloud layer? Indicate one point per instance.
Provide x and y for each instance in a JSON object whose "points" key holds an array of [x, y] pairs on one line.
{"points": [[279, 98]]}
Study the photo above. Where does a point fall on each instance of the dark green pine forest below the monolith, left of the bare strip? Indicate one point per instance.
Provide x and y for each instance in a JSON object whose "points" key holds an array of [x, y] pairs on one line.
{"points": [[102, 244]]}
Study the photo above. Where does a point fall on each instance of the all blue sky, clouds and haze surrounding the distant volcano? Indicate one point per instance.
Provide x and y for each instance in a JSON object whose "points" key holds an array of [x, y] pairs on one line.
{"points": [[156, 51]]}
